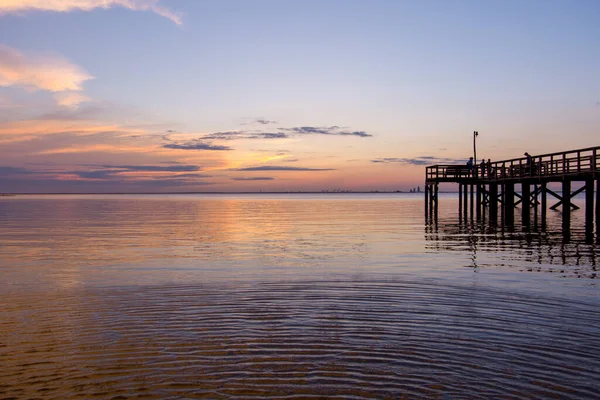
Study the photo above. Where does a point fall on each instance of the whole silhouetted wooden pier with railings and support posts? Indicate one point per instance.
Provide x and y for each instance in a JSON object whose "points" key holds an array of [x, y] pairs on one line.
{"points": [[490, 188]]}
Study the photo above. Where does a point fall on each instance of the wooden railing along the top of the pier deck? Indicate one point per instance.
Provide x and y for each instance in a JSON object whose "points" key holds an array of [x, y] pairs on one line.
{"points": [[574, 162]]}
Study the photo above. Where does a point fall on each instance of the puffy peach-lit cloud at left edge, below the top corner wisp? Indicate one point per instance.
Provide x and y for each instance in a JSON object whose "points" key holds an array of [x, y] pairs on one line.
{"points": [[35, 72]]}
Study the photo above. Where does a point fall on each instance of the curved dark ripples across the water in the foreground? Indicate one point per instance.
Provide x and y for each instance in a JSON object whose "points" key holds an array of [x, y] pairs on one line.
{"points": [[346, 339]]}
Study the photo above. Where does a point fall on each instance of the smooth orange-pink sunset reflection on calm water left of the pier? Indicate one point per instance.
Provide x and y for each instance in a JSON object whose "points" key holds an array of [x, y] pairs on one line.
{"points": [[109, 240]]}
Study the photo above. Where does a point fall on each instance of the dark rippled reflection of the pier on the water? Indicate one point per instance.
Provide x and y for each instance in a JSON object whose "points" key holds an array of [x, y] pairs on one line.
{"points": [[541, 246]]}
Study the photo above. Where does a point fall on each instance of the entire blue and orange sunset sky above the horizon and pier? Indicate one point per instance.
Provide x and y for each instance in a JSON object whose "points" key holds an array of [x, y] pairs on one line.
{"points": [[100, 96]]}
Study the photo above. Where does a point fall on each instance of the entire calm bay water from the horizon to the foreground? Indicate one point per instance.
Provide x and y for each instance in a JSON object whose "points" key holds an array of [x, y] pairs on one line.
{"points": [[290, 296]]}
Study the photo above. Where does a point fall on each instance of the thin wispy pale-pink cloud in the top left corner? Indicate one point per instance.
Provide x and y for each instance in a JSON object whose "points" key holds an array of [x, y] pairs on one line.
{"points": [[23, 6]]}
